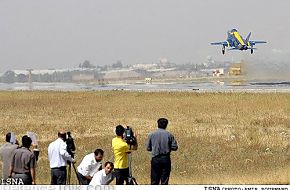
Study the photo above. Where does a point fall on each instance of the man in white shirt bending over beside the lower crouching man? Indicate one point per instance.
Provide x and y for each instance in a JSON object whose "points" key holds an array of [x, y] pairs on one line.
{"points": [[90, 165]]}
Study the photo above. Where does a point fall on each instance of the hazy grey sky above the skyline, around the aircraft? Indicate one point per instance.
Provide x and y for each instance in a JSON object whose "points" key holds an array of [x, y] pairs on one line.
{"points": [[63, 33]]}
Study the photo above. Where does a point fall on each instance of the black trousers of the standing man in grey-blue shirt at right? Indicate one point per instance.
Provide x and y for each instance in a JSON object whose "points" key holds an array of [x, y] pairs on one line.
{"points": [[160, 170]]}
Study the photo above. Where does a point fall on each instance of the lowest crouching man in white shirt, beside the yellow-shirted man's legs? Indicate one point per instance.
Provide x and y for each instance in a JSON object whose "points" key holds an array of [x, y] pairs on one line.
{"points": [[104, 176]]}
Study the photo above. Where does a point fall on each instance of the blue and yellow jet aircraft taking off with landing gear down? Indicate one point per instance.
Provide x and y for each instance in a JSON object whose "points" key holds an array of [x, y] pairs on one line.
{"points": [[236, 42]]}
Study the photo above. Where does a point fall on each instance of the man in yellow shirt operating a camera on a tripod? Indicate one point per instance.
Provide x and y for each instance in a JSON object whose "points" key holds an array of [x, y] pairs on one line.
{"points": [[121, 149]]}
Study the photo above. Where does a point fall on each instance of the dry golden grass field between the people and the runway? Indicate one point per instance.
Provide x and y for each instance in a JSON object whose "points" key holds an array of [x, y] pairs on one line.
{"points": [[224, 138]]}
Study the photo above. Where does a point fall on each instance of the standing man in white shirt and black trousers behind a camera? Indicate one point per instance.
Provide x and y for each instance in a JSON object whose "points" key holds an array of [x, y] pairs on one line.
{"points": [[58, 157]]}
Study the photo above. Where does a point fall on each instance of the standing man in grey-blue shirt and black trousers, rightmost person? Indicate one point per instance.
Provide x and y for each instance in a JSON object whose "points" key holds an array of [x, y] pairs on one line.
{"points": [[161, 143]]}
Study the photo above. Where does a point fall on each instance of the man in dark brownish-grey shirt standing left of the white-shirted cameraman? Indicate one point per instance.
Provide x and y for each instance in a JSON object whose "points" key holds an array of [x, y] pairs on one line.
{"points": [[23, 163]]}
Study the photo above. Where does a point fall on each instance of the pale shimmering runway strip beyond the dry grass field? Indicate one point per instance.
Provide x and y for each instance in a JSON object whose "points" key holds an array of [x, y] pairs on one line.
{"points": [[215, 86]]}
